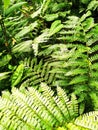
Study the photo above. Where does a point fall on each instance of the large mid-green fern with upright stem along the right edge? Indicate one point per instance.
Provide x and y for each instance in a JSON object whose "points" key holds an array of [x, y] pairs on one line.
{"points": [[78, 57]]}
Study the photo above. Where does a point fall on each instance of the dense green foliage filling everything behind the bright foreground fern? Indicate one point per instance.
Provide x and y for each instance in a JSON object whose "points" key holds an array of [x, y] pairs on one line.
{"points": [[51, 41]]}
